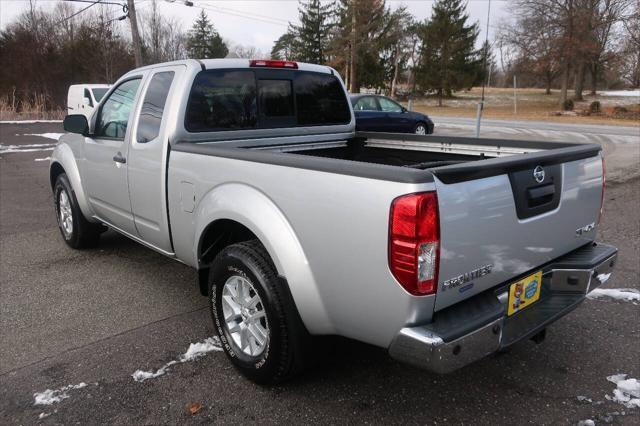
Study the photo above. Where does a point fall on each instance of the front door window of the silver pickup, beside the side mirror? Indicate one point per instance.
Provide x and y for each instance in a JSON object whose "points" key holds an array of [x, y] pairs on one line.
{"points": [[115, 111]]}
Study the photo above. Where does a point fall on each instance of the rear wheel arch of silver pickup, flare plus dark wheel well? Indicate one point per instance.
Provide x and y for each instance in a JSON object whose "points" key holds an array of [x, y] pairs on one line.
{"points": [[241, 211]]}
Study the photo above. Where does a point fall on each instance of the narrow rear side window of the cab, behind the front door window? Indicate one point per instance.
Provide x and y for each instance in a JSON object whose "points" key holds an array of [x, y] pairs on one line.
{"points": [[153, 106]]}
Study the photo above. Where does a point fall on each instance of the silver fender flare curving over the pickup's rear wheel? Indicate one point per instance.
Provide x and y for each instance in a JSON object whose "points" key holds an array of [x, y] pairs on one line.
{"points": [[253, 209]]}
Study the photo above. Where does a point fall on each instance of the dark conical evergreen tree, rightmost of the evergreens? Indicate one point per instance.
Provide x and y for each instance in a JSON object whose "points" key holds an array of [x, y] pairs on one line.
{"points": [[449, 58]]}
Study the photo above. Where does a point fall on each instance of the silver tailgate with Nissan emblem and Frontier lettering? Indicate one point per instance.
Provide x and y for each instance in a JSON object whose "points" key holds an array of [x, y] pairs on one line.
{"points": [[503, 217]]}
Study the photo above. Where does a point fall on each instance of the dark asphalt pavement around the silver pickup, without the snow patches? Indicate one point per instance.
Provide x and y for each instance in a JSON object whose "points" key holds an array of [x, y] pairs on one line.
{"points": [[97, 316]]}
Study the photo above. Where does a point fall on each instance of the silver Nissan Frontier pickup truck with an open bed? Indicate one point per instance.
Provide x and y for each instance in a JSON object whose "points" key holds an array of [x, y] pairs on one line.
{"points": [[440, 249]]}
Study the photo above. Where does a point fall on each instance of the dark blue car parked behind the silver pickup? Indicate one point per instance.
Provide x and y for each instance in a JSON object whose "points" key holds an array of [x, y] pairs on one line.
{"points": [[375, 113]]}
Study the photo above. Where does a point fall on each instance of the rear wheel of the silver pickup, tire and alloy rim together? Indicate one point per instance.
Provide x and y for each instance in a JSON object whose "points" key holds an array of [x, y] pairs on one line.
{"points": [[254, 315]]}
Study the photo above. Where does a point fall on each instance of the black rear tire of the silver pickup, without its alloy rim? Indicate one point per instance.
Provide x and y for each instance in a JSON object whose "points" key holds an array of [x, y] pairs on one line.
{"points": [[283, 354]]}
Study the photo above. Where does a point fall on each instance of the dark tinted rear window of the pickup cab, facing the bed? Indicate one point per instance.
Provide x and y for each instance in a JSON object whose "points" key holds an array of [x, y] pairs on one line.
{"points": [[240, 99]]}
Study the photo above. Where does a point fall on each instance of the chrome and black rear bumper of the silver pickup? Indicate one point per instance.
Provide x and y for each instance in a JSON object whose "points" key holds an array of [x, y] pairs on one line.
{"points": [[479, 326]]}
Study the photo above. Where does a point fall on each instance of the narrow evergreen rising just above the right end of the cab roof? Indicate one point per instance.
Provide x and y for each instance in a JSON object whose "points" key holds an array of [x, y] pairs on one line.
{"points": [[312, 35]]}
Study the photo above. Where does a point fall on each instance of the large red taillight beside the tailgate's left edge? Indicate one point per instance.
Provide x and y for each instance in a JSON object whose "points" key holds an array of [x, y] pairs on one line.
{"points": [[414, 242]]}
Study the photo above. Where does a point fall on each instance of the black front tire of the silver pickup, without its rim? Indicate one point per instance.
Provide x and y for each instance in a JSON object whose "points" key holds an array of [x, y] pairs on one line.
{"points": [[83, 234]]}
